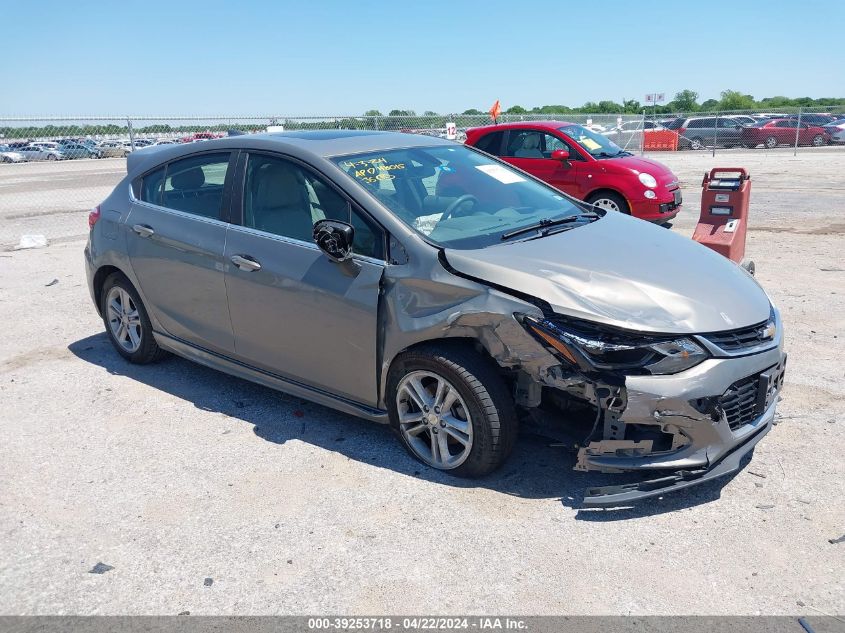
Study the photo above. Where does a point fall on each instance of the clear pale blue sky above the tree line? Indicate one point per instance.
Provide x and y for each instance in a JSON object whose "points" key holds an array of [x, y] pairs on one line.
{"points": [[345, 57]]}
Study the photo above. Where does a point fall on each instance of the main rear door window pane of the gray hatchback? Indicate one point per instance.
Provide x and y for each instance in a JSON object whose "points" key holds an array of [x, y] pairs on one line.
{"points": [[195, 185]]}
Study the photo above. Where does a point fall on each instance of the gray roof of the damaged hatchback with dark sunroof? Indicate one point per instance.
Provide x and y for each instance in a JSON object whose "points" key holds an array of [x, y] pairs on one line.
{"points": [[304, 144]]}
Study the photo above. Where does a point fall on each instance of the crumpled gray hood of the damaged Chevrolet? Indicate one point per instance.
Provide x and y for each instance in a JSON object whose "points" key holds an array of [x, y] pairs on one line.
{"points": [[624, 272]]}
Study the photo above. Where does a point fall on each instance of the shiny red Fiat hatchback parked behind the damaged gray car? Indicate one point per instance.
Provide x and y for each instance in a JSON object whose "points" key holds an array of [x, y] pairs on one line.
{"points": [[584, 164]]}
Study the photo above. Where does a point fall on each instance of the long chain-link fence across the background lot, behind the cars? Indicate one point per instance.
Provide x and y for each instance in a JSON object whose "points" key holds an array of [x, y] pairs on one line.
{"points": [[640, 132]]}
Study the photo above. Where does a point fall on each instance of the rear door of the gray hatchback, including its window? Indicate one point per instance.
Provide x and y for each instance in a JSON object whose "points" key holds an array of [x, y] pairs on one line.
{"points": [[176, 232]]}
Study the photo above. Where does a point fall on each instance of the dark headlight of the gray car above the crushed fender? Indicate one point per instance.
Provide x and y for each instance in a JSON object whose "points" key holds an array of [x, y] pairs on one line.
{"points": [[598, 348]]}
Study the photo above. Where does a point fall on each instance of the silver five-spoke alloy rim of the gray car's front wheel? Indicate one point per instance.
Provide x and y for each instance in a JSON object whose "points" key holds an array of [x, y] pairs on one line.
{"points": [[434, 420]]}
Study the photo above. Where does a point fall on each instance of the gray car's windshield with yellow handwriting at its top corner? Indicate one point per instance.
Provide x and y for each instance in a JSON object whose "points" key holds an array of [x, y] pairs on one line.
{"points": [[455, 196]]}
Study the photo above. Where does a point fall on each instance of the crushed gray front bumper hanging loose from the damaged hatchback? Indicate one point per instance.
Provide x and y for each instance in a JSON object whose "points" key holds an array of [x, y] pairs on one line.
{"points": [[686, 428]]}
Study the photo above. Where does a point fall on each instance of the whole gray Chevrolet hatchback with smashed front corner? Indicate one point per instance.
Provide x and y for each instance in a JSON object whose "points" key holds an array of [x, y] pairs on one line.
{"points": [[416, 282]]}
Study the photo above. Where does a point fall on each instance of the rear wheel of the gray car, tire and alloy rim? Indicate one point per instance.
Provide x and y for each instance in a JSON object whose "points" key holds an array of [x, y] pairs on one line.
{"points": [[127, 323]]}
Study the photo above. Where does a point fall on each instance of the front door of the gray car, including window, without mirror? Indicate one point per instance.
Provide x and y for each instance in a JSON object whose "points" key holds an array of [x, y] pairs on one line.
{"points": [[294, 312]]}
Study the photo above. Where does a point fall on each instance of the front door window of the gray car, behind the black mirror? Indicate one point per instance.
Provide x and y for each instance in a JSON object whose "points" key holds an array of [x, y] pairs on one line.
{"points": [[282, 198]]}
